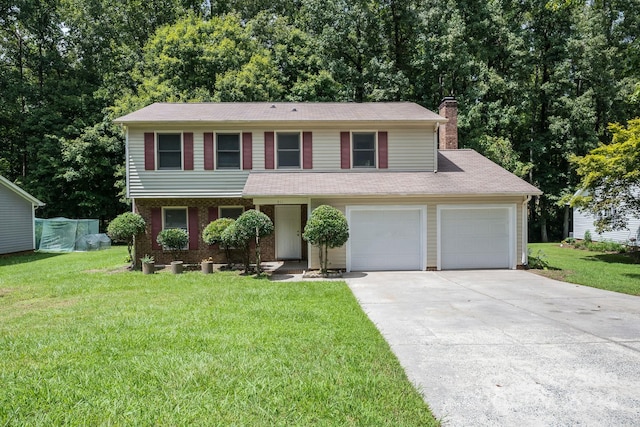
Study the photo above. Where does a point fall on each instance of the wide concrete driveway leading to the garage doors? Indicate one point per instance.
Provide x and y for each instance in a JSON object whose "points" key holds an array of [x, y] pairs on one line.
{"points": [[510, 348]]}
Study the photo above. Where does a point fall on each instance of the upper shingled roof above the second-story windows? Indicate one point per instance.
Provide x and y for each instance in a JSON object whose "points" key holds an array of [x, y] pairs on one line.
{"points": [[239, 112]]}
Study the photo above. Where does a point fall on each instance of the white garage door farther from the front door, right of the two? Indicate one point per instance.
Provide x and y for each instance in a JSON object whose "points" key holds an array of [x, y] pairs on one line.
{"points": [[476, 238]]}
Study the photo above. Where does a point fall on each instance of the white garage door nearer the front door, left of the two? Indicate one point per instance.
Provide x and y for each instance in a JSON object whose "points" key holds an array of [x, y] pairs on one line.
{"points": [[386, 238]]}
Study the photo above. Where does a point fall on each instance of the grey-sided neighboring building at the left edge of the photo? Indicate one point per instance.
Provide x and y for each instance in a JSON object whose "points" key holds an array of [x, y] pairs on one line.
{"points": [[17, 217]]}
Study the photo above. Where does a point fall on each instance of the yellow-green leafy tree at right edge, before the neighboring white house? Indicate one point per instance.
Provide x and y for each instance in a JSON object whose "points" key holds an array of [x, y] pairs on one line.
{"points": [[610, 177]]}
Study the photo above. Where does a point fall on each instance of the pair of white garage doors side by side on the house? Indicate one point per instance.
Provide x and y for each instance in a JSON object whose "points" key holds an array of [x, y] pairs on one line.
{"points": [[395, 237]]}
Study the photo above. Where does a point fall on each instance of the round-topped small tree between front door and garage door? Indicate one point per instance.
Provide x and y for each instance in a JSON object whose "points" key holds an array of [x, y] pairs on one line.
{"points": [[327, 228]]}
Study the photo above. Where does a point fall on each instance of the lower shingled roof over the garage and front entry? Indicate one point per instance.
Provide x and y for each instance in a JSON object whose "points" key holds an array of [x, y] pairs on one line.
{"points": [[461, 172]]}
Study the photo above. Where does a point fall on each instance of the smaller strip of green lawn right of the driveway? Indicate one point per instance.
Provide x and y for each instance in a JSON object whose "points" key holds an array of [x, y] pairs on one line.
{"points": [[613, 272]]}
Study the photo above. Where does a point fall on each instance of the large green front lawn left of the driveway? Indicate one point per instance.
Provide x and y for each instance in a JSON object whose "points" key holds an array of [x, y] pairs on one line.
{"points": [[83, 342]]}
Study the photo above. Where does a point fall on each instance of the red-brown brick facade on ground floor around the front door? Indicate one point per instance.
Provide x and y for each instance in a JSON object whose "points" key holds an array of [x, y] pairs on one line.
{"points": [[143, 244]]}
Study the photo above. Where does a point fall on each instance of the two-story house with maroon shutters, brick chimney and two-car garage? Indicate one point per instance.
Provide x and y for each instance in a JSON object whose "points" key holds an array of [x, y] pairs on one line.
{"points": [[410, 204]]}
